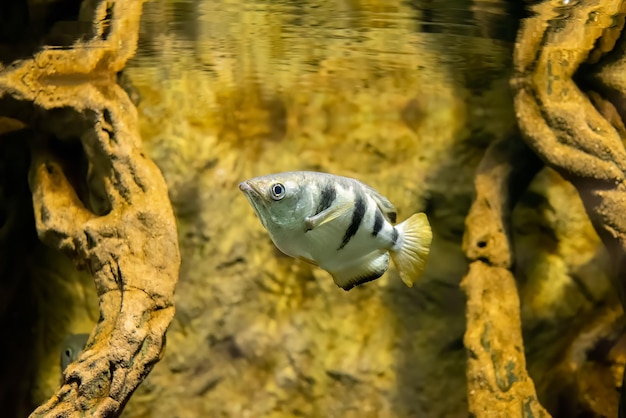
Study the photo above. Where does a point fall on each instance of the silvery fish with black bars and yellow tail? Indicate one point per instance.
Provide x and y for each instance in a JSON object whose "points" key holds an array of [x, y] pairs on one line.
{"points": [[339, 224]]}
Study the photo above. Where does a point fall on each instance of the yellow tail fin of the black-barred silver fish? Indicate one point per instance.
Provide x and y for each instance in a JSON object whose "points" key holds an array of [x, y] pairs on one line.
{"points": [[412, 247]]}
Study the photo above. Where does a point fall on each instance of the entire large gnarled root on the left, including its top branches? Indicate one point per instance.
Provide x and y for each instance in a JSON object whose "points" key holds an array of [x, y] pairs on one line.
{"points": [[120, 226]]}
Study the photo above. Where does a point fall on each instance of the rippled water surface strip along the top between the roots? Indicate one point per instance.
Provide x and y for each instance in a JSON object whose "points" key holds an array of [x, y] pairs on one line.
{"points": [[288, 40]]}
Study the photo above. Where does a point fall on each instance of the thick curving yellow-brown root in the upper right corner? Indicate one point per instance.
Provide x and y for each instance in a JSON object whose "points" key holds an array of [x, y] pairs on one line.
{"points": [[561, 124]]}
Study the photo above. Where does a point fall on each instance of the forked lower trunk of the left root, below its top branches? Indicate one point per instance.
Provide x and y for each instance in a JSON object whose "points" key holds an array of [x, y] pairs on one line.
{"points": [[131, 251]]}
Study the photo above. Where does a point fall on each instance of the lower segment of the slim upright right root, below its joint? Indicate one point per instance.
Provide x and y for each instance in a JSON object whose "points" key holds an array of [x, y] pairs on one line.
{"points": [[497, 381]]}
